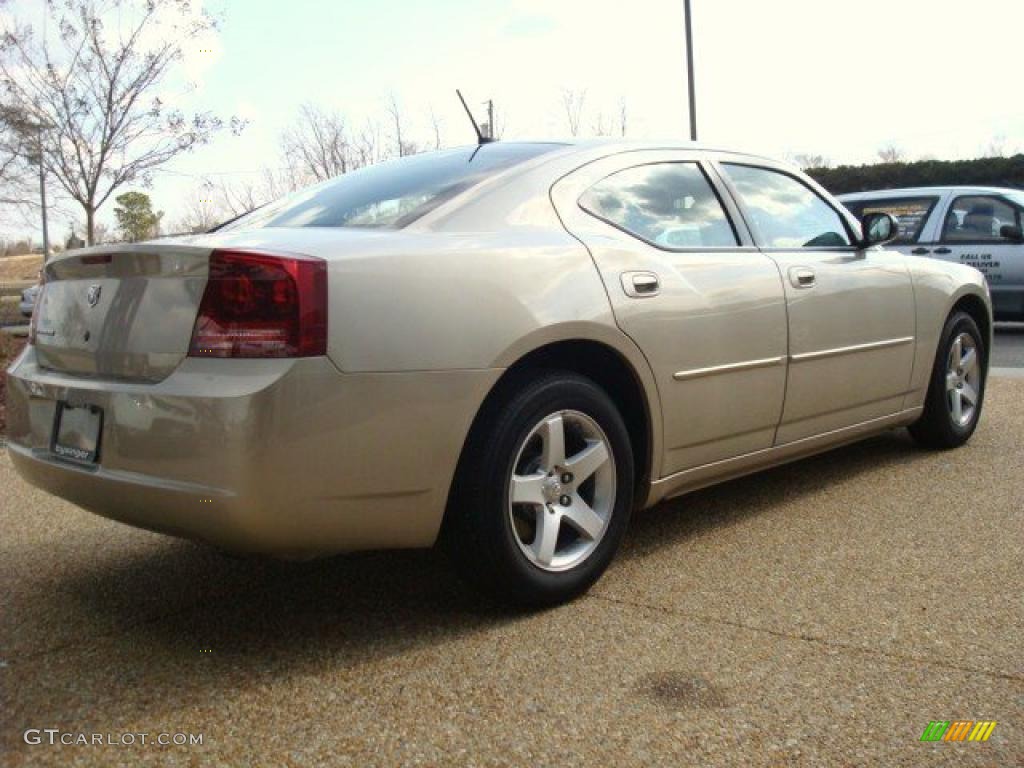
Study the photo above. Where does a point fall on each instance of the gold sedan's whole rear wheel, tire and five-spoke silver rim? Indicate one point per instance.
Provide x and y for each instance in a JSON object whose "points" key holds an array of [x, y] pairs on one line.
{"points": [[544, 493]]}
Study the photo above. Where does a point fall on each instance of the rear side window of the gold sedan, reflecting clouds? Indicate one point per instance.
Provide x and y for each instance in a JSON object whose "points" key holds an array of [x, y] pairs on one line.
{"points": [[671, 205]]}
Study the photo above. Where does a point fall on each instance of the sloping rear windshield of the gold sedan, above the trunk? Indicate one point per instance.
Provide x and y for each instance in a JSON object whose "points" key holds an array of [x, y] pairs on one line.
{"points": [[394, 194]]}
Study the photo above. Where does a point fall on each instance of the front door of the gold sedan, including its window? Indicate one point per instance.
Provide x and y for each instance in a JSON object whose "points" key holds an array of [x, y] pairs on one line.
{"points": [[851, 311]]}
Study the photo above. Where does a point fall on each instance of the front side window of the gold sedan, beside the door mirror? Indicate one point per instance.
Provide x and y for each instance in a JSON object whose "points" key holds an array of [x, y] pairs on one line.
{"points": [[786, 212]]}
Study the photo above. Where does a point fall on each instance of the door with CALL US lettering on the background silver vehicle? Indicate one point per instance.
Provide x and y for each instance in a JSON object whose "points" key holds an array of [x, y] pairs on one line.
{"points": [[970, 234]]}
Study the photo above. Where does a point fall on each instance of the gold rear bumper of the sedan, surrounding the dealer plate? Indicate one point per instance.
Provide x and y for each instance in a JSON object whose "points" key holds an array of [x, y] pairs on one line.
{"points": [[290, 458]]}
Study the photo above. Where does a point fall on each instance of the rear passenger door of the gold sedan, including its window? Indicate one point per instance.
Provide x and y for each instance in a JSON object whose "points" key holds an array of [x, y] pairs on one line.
{"points": [[689, 286]]}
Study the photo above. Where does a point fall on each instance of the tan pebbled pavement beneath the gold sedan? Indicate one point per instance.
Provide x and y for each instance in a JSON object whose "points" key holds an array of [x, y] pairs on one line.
{"points": [[822, 614]]}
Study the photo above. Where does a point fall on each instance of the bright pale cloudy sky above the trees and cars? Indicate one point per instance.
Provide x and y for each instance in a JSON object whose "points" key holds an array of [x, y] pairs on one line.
{"points": [[934, 78]]}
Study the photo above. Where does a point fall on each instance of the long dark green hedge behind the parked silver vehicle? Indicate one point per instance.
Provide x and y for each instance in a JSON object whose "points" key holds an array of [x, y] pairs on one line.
{"points": [[983, 173]]}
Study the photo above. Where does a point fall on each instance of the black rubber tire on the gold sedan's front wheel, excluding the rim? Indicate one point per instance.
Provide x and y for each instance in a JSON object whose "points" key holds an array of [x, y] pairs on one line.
{"points": [[937, 429]]}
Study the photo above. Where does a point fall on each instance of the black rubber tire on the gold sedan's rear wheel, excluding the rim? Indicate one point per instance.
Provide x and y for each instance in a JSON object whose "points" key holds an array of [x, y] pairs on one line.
{"points": [[480, 530]]}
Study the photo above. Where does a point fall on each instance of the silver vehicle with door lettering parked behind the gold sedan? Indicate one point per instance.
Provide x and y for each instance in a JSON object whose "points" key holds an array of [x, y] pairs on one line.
{"points": [[980, 227]]}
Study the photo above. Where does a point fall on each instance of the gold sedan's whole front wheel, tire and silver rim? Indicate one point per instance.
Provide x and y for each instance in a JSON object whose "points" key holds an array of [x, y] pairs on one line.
{"points": [[957, 388]]}
